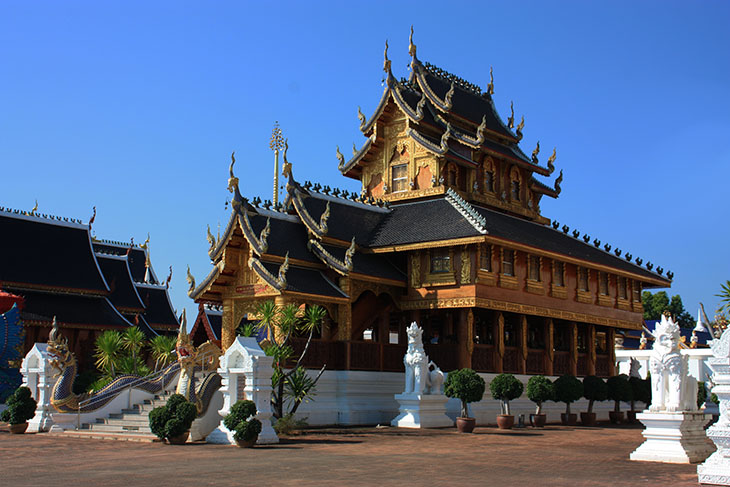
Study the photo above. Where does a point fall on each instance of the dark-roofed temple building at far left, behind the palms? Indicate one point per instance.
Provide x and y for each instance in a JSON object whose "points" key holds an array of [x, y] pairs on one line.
{"points": [[54, 267]]}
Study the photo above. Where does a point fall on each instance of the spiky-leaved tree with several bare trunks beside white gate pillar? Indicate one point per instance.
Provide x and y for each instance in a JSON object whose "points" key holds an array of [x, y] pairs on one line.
{"points": [[280, 323]]}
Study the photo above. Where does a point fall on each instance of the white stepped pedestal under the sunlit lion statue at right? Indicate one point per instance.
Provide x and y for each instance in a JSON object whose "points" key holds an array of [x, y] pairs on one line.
{"points": [[673, 438]]}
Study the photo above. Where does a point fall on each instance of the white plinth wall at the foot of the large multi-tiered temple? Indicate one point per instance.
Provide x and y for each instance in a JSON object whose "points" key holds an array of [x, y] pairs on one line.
{"points": [[347, 397]]}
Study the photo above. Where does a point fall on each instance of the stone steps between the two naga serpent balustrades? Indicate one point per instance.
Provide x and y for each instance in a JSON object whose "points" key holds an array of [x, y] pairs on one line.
{"points": [[129, 425]]}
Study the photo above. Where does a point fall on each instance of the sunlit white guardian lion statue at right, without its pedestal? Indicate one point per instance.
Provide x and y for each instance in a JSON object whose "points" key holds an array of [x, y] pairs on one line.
{"points": [[672, 388]]}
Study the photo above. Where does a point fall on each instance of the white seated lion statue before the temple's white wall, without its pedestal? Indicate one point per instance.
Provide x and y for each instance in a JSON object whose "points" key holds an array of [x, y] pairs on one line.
{"points": [[420, 379]]}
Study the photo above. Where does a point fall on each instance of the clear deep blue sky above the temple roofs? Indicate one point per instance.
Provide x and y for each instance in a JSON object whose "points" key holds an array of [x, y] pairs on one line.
{"points": [[134, 107]]}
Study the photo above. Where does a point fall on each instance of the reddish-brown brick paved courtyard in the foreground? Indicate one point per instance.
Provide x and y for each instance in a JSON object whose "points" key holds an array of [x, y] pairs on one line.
{"points": [[553, 456]]}
